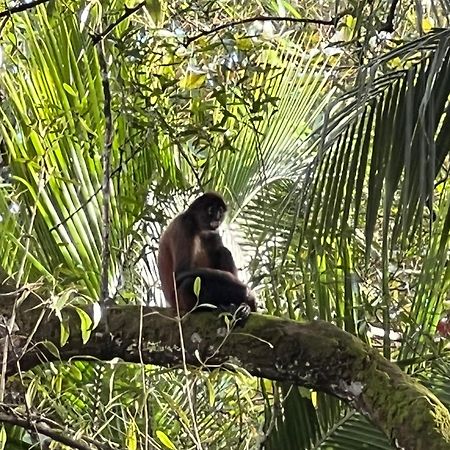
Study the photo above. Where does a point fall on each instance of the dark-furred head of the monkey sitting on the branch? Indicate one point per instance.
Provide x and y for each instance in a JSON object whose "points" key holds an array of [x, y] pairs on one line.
{"points": [[209, 211]]}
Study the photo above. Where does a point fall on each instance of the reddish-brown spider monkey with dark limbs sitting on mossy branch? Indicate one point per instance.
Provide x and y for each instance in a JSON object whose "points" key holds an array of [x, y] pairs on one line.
{"points": [[191, 247]]}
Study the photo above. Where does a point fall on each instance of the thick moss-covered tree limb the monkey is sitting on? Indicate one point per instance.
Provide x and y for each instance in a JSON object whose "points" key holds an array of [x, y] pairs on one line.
{"points": [[317, 355]]}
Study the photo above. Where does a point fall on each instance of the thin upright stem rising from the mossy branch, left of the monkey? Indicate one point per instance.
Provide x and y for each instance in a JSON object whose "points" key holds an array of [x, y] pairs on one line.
{"points": [[106, 188]]}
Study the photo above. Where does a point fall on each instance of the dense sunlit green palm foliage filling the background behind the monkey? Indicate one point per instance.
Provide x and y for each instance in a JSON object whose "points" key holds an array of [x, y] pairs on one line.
{"points": [[327, 133]]}
